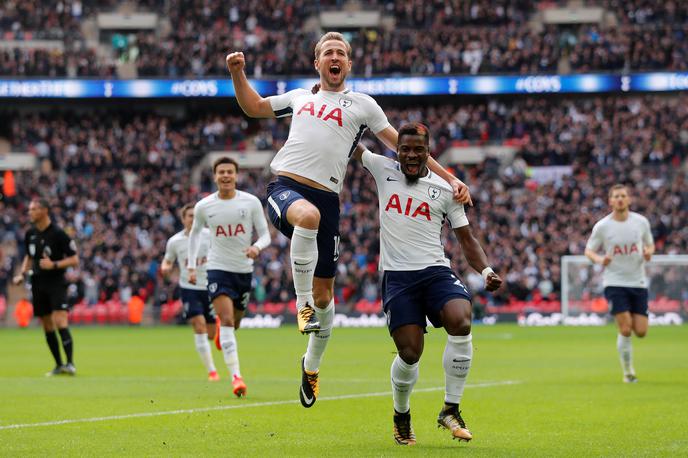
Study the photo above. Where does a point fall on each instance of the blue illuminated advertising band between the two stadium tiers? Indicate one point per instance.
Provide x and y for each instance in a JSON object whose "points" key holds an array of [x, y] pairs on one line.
{"points": [[451, 85]]}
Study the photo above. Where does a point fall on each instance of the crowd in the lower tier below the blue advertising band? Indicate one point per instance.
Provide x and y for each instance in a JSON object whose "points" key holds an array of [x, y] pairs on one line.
{"points": [[117, 188]]}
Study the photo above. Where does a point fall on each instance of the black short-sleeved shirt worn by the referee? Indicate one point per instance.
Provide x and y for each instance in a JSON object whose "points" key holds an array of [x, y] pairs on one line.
{"points": [[52, 242]]}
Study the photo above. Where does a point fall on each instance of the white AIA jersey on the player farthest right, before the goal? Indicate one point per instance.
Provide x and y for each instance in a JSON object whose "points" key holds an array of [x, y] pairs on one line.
{"points": [[623, 241]]}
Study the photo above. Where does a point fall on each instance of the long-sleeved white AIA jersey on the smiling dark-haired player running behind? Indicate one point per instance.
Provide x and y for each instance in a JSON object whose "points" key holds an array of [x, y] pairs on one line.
{"points": [[231, 223]]}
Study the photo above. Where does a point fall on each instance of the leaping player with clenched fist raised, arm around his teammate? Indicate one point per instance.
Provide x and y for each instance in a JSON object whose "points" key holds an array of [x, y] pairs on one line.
{"points": [[303, 201]]}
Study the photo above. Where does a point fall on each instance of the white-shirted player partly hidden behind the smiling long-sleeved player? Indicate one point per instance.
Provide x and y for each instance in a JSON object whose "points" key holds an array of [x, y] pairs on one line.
{"points": [[197, 308]]}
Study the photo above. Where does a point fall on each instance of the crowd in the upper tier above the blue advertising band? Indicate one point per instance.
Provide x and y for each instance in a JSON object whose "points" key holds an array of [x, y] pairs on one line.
{"points": [[429, 38]]}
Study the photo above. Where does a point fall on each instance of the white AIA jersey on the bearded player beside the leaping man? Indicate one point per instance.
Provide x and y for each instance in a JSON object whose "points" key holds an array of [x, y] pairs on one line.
{"points": [[412, 215]]}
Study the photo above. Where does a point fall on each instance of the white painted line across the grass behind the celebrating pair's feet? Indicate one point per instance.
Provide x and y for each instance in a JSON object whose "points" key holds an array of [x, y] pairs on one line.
{"points": [[241, 406]]}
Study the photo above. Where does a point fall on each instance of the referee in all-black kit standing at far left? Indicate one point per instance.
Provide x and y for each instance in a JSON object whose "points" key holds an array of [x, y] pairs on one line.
{"points": [[49, 251]]}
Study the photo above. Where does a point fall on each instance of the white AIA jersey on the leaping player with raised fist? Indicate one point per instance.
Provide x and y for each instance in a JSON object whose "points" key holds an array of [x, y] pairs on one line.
{"points": [[325, 129]]}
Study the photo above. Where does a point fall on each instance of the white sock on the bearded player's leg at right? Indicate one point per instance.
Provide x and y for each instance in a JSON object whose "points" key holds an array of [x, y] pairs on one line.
{"points": [[458, 354]]}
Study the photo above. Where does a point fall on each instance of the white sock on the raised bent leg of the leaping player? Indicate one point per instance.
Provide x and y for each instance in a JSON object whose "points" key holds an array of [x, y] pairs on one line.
{"points": [[304, 257]]}
